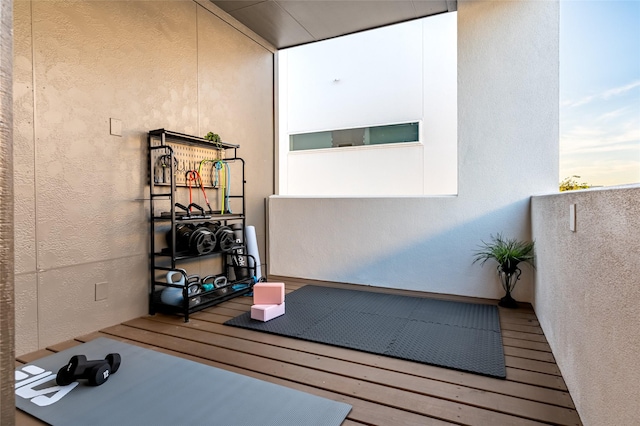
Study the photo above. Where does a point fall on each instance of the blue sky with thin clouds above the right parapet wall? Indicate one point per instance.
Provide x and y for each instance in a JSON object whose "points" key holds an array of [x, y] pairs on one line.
{"points": [[600, 91]]}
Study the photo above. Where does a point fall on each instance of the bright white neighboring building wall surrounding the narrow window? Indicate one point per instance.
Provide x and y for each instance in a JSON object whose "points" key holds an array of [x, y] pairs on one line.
{"points": [[396, 74]]}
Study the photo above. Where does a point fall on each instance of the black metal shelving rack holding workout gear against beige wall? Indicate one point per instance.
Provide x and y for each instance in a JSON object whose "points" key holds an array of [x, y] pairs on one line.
{"points": [[162, 189]]}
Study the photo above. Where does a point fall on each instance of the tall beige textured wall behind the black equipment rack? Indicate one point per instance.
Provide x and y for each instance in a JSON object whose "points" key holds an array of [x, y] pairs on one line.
{"points": [[80, 218]]}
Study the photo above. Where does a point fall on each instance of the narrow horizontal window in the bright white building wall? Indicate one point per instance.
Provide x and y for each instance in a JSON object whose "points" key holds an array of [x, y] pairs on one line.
{"points": [[375, 135]]}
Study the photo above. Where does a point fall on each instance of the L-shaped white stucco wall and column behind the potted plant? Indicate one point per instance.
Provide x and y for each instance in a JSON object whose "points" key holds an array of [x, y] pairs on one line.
{"points": [[507, 151]]}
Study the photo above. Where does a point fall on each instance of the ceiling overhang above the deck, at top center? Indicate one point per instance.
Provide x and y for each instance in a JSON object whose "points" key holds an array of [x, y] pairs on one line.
{"points": [[288, 23]]}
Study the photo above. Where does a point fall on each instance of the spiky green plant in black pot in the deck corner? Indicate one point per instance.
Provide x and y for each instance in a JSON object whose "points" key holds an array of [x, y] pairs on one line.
{"points": [[509, 253]]}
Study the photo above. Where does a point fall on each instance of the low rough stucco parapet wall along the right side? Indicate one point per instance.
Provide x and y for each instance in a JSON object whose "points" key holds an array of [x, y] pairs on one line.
{"points": [[586, 298]]}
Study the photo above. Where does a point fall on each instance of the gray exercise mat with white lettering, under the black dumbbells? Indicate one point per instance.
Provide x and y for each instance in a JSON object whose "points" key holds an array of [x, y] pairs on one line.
{"points": [[152, 388]]}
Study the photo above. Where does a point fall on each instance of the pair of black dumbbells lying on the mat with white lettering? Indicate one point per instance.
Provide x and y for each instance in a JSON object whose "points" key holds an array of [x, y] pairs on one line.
{"points": [[96, 372]]}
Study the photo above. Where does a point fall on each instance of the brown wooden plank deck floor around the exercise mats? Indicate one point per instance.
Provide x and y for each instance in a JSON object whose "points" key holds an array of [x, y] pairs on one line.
{"points": [[382, 391]]}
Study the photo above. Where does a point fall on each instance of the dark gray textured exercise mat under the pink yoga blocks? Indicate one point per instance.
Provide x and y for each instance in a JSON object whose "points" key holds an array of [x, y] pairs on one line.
{"points": [[462, 336]]}
